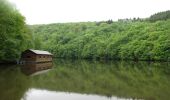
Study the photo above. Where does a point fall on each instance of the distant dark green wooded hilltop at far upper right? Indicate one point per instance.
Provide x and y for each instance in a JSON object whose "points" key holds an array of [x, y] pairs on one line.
{"points": [[160, 16]]}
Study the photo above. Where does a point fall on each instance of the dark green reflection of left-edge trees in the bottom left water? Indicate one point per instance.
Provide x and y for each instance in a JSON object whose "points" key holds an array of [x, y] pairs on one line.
{"points": [[13, 84]]}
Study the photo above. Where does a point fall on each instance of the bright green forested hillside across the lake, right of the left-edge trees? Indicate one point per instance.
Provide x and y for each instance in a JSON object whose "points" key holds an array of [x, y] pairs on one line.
{"points": [[125, 39]]}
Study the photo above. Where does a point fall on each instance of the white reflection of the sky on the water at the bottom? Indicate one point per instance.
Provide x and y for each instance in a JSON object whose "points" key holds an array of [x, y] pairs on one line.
{"points": [[37, 94]]}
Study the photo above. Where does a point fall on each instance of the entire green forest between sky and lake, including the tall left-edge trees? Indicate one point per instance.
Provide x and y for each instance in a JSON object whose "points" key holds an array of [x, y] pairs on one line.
{"points": [[125, 39]]}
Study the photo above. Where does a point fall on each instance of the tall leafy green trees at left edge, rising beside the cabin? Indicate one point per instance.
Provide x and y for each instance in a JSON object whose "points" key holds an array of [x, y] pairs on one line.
{"points": [[14, 33]]}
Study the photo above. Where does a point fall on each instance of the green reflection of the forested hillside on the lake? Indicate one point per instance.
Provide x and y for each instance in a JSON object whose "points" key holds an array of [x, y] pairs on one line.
{"points": [[137, 80]]}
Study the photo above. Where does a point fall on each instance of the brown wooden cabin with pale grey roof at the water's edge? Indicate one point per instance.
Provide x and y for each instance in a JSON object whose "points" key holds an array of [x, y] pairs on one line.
{"points": [[36, 56]]}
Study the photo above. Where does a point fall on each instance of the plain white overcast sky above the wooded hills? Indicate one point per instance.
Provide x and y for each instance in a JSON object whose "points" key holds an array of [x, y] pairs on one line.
{"points": [[63, 11]]}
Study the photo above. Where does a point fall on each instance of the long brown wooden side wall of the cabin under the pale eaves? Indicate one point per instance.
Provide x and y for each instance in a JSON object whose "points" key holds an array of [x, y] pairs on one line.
{"points": [[43, 58]]}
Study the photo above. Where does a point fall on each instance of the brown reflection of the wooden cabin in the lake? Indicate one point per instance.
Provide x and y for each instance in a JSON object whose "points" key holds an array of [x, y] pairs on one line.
{"points": [[35, 68]]}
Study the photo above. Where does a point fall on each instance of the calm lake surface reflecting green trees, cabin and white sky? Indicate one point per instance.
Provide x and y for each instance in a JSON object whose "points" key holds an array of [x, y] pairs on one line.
{"points": [[86, 80]]}
